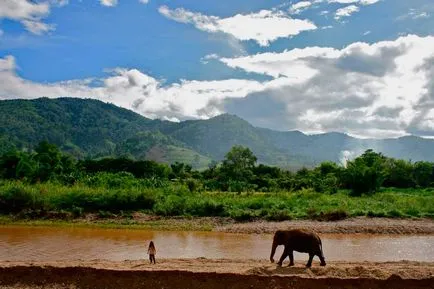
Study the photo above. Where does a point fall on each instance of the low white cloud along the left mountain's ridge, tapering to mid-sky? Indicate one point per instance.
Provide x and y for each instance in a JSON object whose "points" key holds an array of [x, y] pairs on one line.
{"points": [[135, 90]]}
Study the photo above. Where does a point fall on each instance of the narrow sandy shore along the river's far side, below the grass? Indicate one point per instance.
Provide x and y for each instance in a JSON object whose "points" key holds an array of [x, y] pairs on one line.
{"points": [[362, 225]]}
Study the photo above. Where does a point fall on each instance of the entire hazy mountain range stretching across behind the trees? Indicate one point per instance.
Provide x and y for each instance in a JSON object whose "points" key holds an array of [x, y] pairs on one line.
{"points": [[91, 128]]}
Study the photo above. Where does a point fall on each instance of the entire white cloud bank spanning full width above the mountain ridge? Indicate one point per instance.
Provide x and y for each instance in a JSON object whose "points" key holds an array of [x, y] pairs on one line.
{"points": [[384, 89]]}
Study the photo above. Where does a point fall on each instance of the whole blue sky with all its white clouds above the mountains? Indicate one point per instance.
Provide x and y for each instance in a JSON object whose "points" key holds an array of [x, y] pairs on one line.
{"points": [[360, 67]]}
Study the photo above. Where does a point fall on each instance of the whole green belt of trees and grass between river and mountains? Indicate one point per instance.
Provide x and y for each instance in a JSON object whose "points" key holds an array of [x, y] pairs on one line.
{"points": [[46, 183]]}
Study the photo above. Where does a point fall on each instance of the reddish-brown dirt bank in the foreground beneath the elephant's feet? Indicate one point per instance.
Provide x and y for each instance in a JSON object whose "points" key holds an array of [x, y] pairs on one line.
{"points": [[221, 273]]}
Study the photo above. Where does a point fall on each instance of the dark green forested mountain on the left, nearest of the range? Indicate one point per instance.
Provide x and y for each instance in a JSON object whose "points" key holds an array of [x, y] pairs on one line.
{"points": [[88, 128]]}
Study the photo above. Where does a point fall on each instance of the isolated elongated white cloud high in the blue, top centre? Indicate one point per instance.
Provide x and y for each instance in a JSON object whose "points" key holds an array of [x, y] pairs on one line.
{"points": [[263, 27]]}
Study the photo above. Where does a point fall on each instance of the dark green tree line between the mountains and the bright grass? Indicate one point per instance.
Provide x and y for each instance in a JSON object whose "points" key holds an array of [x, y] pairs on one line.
{"points": [[239, 171]]}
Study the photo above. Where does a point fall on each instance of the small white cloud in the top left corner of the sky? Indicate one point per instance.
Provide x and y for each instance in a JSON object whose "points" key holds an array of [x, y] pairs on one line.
{"points": [[28, 13]]}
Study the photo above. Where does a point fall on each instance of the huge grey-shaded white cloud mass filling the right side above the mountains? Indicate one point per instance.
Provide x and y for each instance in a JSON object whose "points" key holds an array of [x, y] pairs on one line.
{"points": [[377, 90]]}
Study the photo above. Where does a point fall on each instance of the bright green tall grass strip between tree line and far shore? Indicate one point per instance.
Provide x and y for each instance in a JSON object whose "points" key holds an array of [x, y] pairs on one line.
{"points": [[17, 197]]}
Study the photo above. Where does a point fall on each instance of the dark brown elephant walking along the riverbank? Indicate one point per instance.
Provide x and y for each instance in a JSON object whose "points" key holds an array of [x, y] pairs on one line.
{"points": [[297, 240]]}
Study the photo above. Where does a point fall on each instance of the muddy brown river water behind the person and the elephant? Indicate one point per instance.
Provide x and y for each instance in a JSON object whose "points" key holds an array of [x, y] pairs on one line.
{"points": [[65, 244]]}
